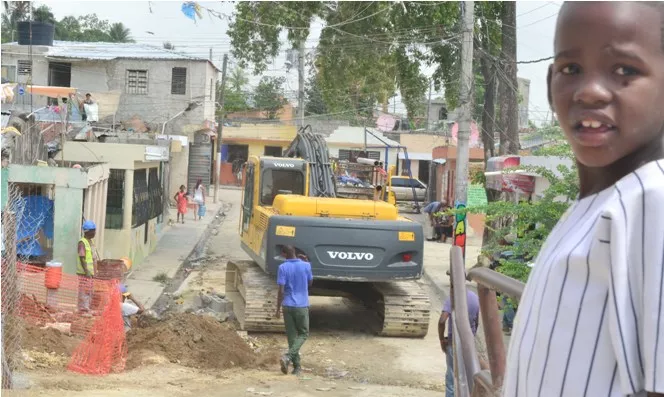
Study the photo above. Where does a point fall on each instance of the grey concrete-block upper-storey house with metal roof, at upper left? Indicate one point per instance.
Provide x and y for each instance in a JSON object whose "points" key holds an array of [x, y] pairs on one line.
{"points": [[126, 79]]}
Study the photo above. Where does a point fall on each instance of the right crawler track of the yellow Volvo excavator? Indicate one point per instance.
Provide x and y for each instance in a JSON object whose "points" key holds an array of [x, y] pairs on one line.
{"points": [[404, 307]]}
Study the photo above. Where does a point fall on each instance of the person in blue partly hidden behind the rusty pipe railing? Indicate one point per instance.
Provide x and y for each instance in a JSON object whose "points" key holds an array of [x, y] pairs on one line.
{"points": [[446, 341]]}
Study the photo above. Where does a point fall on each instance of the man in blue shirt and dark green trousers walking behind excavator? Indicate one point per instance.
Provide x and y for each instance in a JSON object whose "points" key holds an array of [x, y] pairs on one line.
{"points": [[294, 279]]}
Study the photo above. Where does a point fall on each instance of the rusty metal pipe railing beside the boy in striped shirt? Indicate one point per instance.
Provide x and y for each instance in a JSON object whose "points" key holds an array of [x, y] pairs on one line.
{"points": [[469, 378]]}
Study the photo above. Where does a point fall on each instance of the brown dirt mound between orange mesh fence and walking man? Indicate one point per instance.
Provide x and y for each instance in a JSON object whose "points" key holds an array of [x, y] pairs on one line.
{"points": [[190, 340]]}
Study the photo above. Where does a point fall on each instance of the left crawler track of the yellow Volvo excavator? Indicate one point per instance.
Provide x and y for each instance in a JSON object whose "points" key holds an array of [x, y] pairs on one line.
{"points": [[254, 296]]}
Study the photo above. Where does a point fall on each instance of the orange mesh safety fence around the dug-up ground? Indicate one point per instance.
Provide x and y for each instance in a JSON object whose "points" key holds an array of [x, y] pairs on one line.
{"points": [[83, 307]]}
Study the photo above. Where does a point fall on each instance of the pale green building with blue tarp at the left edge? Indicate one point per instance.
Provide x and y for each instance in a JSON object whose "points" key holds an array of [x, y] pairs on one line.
{"points": [[80, 193]]}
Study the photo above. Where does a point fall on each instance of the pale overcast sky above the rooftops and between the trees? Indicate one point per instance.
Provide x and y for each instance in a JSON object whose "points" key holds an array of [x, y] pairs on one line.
{"points": [[158, 21]]}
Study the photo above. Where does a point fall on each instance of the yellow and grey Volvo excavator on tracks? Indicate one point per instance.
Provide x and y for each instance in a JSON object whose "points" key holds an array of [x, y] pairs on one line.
{"points": [[358, 249]]}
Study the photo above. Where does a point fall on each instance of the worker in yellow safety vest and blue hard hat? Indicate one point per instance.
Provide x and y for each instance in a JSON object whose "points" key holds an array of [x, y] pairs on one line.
{"points": [[87, 259]]}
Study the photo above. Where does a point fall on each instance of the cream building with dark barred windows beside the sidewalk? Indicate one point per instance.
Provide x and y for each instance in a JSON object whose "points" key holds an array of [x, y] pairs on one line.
{"points": [[134, 207]]}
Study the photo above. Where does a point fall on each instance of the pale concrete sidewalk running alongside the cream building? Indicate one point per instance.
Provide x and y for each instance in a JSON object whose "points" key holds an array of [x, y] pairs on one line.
{"points": [[173, 248]]}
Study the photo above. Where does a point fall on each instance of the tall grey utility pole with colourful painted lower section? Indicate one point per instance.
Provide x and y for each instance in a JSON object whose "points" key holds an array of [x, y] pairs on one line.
{"points": [[465, 118]]}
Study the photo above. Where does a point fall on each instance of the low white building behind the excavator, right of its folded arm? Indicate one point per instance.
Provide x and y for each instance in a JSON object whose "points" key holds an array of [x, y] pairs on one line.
{"points": [[347, 142]]}
